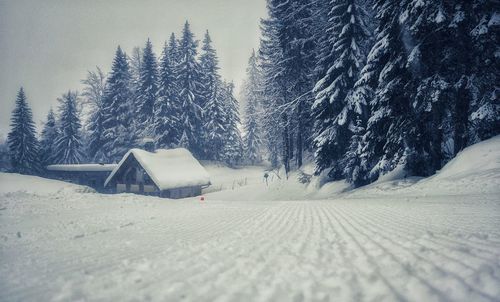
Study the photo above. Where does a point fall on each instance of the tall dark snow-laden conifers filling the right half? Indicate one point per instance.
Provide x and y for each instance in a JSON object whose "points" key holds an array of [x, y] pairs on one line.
{"points": [[365, 86]]}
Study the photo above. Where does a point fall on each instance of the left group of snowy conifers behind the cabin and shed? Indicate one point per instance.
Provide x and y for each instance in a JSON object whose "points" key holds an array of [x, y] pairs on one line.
{"points": [[178, 100]]}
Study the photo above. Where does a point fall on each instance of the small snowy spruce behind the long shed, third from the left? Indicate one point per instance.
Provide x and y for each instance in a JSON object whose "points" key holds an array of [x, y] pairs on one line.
{"points": [[68, 147]]}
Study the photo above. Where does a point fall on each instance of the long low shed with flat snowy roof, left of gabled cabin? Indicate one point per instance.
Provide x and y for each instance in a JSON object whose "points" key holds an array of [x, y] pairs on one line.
{"points": [[92, 175]]}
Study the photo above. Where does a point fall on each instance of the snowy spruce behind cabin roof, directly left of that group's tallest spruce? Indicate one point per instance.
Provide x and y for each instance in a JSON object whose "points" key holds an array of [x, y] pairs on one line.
{"points": [[167, 106]]}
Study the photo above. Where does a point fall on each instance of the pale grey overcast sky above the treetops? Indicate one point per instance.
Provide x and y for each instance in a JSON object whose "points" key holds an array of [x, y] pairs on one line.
{"points": [[48, 46]]}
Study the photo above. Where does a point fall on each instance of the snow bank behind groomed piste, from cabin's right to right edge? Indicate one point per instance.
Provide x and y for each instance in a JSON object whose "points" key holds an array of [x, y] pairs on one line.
{"points": [[475, 170]]}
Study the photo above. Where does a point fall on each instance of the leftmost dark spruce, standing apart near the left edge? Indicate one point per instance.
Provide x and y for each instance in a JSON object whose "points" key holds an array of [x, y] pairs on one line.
{"points": [[22, 141]]}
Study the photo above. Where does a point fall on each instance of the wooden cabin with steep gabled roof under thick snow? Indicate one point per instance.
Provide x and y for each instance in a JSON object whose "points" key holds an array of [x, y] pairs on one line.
{"points": [[173, 173]]}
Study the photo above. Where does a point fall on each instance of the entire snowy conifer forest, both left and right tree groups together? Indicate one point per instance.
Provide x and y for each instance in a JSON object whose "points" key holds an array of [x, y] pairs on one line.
{"points": [[357, 87]]}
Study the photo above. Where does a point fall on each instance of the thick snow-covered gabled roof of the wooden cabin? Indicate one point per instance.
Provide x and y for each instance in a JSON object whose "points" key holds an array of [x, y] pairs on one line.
{"points": [[169, 169]]}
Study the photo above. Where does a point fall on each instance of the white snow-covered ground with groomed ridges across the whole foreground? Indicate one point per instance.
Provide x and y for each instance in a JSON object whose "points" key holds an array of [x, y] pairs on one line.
{"points": [[435, 239]]}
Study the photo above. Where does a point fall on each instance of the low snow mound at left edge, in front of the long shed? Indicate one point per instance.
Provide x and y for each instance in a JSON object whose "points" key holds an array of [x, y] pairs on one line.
{"points": [[12, 183]]}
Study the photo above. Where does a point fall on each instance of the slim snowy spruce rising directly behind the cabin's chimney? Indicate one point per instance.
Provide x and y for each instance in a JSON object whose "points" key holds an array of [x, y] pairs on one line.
{"points": [[147, 92]]}
